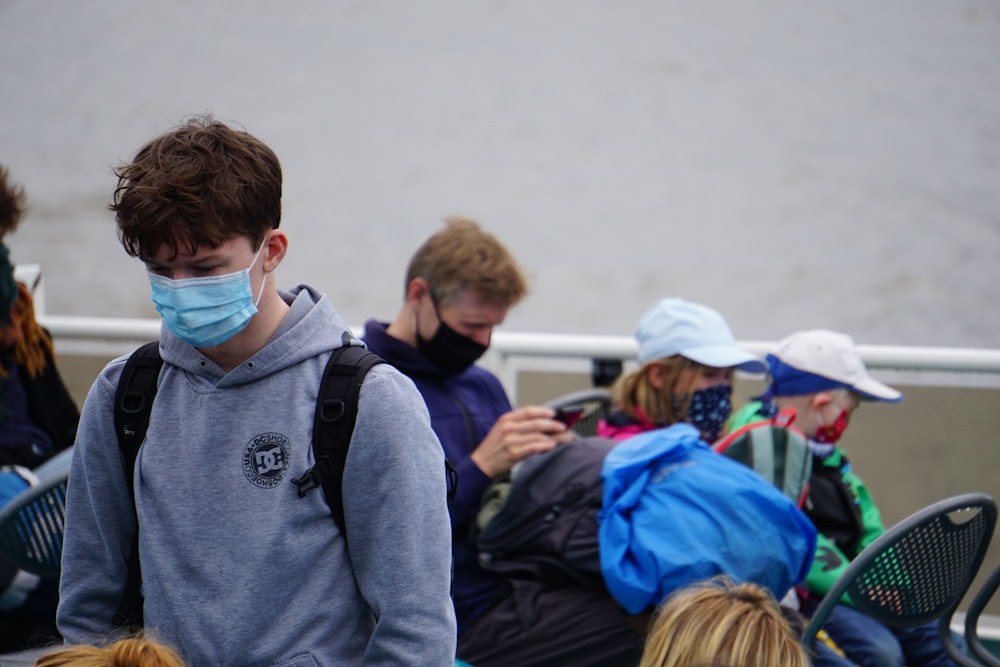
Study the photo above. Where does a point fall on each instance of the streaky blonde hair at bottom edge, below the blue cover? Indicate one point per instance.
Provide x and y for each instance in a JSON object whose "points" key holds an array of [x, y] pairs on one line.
{"points": [[721, 622]]}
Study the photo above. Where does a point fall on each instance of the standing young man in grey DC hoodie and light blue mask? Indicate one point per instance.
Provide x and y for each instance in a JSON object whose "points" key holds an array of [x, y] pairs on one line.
{"points": [[237, 569]]}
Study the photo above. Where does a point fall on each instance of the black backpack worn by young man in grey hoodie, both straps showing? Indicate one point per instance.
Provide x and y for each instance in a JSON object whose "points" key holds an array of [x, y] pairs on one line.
{"points": [[336, 413]]}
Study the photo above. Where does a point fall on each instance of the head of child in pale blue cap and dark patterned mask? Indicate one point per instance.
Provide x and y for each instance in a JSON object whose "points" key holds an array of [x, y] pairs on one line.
{"points": [[687, 356]]}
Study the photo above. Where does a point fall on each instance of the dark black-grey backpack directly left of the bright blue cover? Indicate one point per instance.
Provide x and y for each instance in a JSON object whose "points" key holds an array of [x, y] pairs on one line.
{"points": [[541, 522]]}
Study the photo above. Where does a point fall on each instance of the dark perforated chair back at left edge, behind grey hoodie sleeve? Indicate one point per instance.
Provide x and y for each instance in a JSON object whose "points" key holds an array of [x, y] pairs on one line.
{"points": [[31, 524]]}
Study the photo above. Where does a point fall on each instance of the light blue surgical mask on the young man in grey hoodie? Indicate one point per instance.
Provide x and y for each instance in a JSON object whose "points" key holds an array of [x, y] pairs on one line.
{"points": [[208, 311]]}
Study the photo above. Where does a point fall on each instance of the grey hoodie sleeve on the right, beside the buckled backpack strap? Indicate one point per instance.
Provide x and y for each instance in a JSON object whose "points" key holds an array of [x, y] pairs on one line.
{"points": [[398, 529]]}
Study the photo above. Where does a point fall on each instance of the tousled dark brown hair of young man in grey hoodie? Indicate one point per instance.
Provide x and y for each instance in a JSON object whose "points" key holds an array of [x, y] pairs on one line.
{"points": [[200, 184]]}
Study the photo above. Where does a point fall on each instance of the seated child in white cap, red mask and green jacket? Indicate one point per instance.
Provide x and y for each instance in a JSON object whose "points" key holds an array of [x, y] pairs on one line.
{"points": [[820, 375]]}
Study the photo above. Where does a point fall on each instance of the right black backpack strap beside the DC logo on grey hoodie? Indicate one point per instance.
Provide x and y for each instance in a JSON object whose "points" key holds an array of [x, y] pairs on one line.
{"points": [[336, 414]]}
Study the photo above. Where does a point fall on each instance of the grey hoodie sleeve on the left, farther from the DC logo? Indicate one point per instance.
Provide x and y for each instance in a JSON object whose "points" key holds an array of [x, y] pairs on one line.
{"points": [[100, 522]]}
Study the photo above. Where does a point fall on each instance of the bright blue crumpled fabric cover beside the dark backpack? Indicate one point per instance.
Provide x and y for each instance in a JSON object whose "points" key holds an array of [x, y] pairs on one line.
{"points": [[675, 512]]}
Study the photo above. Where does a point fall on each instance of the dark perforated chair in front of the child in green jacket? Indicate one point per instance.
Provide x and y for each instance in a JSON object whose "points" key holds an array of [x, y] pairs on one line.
{"points": [[918, 570]]}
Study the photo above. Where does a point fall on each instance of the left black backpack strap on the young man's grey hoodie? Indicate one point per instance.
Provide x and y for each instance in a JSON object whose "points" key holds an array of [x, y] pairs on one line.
{"points": [[133, 404]]}
